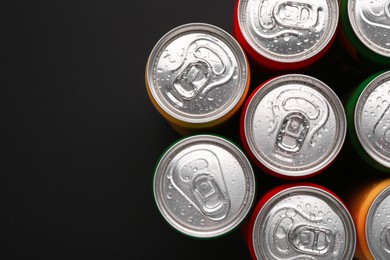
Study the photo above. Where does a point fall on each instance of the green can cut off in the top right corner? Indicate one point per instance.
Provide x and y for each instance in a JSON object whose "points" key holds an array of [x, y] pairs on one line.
{"points": [[365, 29]]}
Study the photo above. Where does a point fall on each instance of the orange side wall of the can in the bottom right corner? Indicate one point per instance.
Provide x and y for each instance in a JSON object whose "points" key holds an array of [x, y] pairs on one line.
{"points": [[359, 203]]}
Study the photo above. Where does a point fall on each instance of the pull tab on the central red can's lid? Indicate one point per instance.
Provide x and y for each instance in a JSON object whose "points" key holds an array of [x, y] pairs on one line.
{"points": [[292, 132]]}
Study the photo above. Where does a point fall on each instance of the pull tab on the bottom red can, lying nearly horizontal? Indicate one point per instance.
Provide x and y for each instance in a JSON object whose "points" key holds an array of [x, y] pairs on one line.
{"points": [[312, 240]]}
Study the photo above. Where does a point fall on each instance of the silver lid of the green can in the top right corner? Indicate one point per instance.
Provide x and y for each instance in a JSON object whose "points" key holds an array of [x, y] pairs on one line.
{"points": [[370, 21]]}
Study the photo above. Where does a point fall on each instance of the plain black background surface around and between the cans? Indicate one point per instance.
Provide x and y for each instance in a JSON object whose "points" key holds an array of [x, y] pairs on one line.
{"points": [[81, 138]]}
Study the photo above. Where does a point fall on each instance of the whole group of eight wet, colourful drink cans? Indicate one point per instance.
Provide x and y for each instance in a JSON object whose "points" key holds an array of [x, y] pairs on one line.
{"points": [[292, 126]]}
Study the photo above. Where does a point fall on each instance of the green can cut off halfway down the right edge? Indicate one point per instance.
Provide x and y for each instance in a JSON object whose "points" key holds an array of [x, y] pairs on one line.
{"points": [[368, 116]]}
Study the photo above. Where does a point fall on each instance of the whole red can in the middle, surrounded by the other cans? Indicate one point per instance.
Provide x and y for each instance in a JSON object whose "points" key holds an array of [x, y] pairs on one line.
{"points": [[293, 126]]}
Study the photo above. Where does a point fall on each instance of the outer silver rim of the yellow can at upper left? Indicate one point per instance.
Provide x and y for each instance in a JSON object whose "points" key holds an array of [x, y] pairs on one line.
{"points": [[181, 118]]}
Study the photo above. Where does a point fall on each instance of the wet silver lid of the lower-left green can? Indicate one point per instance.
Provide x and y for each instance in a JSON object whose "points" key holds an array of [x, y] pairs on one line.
{"points": [[204, 186]]}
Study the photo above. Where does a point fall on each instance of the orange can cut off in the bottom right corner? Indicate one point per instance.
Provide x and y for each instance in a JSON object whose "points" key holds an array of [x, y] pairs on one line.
{"points": [[369, 204]]}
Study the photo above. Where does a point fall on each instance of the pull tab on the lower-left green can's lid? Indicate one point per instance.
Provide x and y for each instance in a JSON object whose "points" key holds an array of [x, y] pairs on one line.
{"points": [[213, 202]]}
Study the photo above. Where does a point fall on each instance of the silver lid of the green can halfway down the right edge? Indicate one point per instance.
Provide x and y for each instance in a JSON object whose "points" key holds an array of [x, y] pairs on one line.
{"points": [[372, 118]]}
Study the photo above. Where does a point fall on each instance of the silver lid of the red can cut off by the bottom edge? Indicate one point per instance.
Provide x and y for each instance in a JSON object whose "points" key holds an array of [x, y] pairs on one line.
{"points": [[304, 222]]}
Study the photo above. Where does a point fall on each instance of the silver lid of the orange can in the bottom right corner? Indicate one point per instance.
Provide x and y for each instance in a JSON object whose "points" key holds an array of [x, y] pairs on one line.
{"points": [[378, 226]]}
